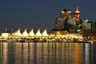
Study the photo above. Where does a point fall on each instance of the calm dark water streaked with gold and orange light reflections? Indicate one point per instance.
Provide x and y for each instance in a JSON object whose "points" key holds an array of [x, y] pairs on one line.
{"points": [[44, 53]]}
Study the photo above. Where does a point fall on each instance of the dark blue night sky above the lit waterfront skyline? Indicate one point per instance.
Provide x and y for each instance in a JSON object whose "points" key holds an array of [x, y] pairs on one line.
{"points": [[40, 13]]}
